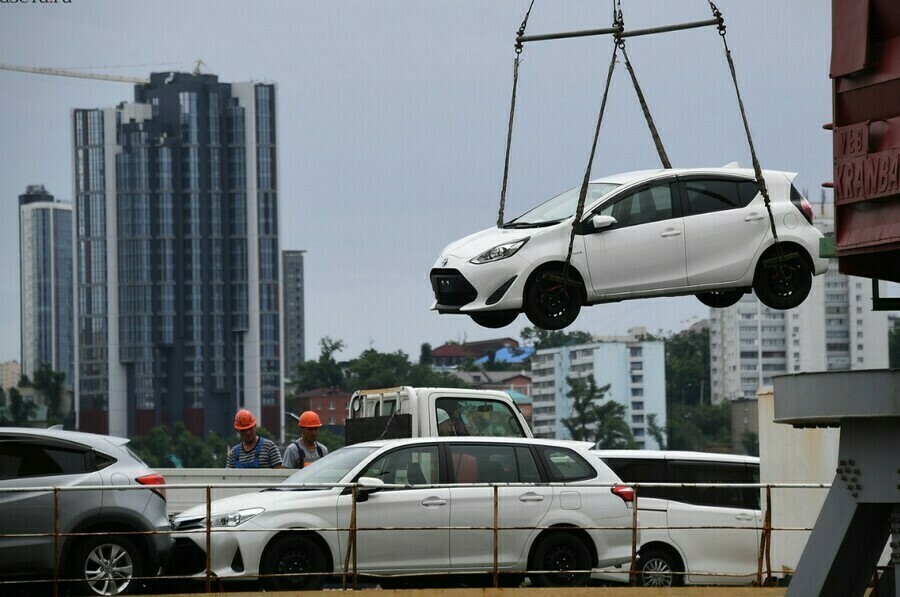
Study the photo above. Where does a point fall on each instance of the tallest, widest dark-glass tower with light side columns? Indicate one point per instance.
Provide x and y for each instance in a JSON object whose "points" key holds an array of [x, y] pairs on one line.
{"points": [[176, 206]]}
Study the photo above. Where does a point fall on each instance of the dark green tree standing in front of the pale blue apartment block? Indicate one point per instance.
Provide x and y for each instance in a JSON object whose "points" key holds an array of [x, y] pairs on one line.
{"points": [[602, 422]]}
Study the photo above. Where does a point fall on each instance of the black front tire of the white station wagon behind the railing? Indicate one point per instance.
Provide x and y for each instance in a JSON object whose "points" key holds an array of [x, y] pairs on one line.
{"points": [[294, 554]]}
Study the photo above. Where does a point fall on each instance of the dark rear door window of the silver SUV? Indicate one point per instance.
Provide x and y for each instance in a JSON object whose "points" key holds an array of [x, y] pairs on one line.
{"points": [[21, 459]]}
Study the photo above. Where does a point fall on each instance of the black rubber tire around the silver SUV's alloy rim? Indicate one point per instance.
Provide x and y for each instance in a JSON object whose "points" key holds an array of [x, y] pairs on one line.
{"points": [[125, 551]]}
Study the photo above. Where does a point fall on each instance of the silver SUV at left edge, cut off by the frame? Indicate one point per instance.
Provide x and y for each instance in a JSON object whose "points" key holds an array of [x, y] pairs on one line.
{"points": [[97, 553]]}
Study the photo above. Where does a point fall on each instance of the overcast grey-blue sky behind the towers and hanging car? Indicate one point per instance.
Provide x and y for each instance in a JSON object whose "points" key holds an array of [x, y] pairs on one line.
{"points": [[393, 120]]}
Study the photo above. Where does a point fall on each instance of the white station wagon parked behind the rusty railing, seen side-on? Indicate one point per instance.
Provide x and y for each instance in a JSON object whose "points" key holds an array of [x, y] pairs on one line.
{"points": [[288, 530]]}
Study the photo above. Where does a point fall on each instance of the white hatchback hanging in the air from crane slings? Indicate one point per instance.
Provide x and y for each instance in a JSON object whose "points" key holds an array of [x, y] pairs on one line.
{"points": [[672, 232]]}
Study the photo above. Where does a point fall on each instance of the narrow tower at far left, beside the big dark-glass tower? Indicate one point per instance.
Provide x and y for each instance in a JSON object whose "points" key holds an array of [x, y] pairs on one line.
{"points": [[45, 283]]}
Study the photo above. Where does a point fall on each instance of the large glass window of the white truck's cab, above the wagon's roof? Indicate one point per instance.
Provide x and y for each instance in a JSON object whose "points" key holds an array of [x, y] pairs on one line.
{"points": [[468, 416]]}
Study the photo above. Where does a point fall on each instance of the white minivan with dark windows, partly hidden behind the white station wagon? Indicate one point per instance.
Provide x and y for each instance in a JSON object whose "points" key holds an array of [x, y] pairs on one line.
{"points": [[677, 544]]}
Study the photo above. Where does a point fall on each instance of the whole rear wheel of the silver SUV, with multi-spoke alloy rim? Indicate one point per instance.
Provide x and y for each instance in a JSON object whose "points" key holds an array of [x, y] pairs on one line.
{"points": [[108, 565]]}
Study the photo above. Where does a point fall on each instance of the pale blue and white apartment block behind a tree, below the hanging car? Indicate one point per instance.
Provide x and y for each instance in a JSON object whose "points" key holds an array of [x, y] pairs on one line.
{"points": [[633, 366]]}
